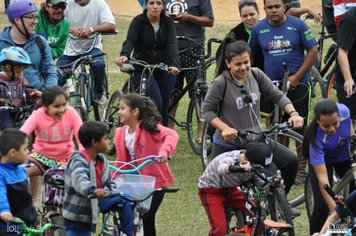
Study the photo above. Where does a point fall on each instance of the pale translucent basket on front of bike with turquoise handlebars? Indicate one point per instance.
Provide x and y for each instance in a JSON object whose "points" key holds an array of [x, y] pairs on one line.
{"points": [[137, 187]]}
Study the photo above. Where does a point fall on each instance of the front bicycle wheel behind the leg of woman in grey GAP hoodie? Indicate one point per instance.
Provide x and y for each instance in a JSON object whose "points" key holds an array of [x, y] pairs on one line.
{"points": [[293, 141]]}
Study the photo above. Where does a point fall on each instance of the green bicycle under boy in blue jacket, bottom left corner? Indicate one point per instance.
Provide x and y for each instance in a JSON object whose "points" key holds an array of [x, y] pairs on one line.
{"points": [[19, 227]]}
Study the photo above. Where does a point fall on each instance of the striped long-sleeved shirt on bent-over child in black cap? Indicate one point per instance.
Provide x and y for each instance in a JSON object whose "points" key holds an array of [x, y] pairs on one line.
{"points": [[215, 175]]}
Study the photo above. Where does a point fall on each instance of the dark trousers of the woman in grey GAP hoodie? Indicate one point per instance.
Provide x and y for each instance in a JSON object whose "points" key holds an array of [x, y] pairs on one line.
{"points": [[283, 158]]}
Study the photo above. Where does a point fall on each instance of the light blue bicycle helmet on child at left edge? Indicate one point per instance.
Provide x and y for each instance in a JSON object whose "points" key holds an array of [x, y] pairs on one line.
{"points": [[14, 55]]}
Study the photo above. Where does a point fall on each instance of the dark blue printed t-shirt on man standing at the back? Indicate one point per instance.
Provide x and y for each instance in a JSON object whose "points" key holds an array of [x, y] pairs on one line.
{"points": [[283, 43]]}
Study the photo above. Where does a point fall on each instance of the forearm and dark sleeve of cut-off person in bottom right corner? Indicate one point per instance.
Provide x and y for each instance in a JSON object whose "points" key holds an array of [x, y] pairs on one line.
{"points": [[341, 212]]}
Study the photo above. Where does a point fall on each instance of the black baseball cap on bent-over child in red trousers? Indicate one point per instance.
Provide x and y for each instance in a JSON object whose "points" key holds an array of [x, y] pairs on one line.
{"points": [[259, 153]]}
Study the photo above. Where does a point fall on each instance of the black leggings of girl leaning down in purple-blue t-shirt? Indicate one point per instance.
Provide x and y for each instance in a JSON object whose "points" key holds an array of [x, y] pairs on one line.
{"points": [[321, 210]]}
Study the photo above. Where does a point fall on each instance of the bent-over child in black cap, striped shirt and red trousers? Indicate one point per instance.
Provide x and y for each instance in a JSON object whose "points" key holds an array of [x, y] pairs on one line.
{"points": [[218, 184]]}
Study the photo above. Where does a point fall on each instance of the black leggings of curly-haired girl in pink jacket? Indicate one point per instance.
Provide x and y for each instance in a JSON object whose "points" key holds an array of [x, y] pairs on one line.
{"points": [[149, 219]]}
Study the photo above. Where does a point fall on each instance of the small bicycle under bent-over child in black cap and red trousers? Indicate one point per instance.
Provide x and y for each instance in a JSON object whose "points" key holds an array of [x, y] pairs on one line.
{"points": [[268, 199]]}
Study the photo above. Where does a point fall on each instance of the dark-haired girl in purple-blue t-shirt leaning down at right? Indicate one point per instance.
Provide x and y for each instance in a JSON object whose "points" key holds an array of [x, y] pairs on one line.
{"points": [[326, 144]]}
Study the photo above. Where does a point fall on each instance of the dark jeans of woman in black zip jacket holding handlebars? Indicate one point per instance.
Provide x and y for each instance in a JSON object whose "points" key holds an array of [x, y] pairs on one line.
{"points": [[160, 91]]}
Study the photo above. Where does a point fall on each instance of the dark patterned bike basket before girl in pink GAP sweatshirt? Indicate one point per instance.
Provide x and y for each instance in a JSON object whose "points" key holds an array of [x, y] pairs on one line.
{"points": [[53, 187]]}
